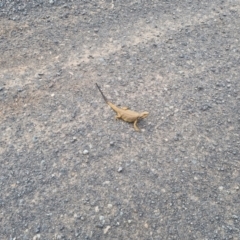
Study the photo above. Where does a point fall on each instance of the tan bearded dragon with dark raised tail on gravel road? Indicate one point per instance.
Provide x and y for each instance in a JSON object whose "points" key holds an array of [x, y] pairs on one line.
{"points": [[124, 113]]}
